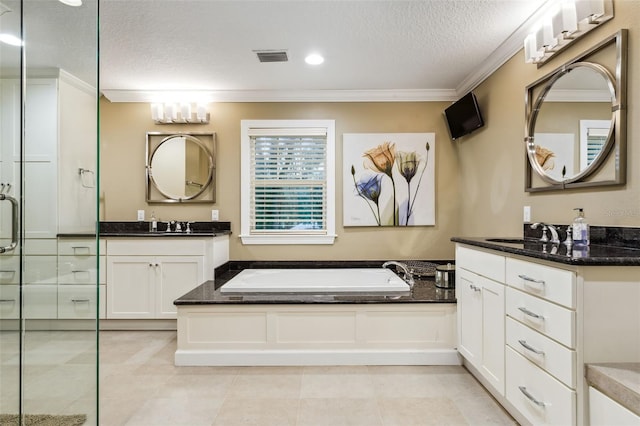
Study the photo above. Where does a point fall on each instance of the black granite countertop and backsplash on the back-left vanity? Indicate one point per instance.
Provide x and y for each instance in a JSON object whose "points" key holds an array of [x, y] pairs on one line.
{"points": [[142, 229]]}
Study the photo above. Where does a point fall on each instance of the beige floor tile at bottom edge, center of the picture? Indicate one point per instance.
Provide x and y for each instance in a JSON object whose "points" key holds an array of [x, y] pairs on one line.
{"points": [[338, 411]]}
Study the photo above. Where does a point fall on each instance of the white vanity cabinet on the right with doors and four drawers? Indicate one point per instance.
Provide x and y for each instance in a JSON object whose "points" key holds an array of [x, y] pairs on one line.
{"points": [[556, 319]]}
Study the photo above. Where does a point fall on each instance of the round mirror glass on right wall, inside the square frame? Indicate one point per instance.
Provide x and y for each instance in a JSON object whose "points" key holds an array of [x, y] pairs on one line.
{"points": [[571, 127]]}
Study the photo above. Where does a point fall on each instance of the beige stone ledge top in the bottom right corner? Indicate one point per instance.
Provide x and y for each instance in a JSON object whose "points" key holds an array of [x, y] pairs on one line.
{"points": [[619, 381]]}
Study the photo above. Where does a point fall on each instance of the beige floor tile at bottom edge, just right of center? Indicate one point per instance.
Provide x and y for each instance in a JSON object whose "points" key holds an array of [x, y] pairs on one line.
{"points": [[420, 412]]}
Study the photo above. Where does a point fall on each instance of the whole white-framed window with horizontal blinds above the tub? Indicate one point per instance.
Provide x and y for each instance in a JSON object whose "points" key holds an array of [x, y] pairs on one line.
{"points": [[288, 188]]}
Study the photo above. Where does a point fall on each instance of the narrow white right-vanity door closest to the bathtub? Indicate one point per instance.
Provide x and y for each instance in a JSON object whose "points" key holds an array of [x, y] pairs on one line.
{"points": [[469, 295]]}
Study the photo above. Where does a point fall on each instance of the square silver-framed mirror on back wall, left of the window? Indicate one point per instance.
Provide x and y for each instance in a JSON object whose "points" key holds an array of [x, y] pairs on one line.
{"points": [[180, 167]]}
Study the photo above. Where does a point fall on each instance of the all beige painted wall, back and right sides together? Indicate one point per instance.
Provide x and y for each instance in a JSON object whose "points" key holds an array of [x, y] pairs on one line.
{"points": [[479, 178]]}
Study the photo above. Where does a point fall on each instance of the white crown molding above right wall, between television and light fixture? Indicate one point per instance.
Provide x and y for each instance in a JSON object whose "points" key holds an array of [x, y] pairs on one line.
{"points": [[511, 46]]}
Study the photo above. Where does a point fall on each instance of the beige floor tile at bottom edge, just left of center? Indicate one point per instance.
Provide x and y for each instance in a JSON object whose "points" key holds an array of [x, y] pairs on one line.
{"points": [[258, 412]]}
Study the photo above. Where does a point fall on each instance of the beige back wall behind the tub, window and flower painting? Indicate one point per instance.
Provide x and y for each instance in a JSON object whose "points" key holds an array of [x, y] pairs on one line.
{"points": [[123, 128]]}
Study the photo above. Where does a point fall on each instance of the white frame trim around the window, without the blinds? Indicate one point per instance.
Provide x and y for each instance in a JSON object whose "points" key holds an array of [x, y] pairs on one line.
{"points": [[245, 181]]}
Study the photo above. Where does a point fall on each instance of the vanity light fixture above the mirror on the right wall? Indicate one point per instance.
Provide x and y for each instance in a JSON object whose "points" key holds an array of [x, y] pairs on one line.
{"points": [[562, 24]]}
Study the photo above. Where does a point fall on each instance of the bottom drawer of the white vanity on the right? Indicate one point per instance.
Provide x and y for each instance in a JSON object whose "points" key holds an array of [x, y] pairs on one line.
{"points": [[539, 397]]}
